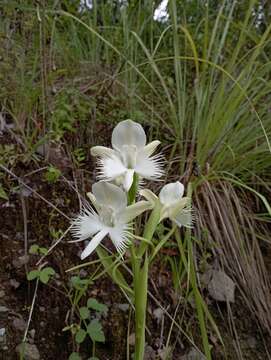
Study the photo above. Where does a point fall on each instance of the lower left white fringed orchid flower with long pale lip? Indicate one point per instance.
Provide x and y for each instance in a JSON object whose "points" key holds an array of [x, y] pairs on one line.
{"points": [[112, 217]]}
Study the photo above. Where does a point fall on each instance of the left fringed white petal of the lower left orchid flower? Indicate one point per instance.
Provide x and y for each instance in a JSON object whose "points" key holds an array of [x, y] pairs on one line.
{"points": [[86, 224]]}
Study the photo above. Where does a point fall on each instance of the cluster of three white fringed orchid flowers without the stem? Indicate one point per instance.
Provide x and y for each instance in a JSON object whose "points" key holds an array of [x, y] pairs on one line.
{"points": [[129, 158]]}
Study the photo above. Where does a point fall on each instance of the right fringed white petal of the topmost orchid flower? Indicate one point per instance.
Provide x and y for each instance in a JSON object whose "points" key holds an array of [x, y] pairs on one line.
{"points": [[149, 167]]}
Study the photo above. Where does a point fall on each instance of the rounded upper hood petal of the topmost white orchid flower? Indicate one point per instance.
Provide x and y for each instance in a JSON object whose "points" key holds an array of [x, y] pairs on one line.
{"points": [[128, 132]]}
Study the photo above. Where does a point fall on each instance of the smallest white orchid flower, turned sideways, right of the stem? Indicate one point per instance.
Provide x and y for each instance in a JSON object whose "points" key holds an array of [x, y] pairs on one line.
{"points": [[172, 203]]}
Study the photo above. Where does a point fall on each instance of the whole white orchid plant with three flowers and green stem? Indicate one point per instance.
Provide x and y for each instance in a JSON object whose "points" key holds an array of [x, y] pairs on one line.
{"points": [[115, 205]]}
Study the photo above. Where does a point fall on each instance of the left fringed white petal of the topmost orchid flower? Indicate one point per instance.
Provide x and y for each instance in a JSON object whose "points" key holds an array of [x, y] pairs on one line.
{"points": [[111, 168]]}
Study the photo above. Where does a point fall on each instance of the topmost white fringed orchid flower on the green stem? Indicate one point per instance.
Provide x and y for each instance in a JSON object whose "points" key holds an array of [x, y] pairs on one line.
{"points": [[129, 155]]}
